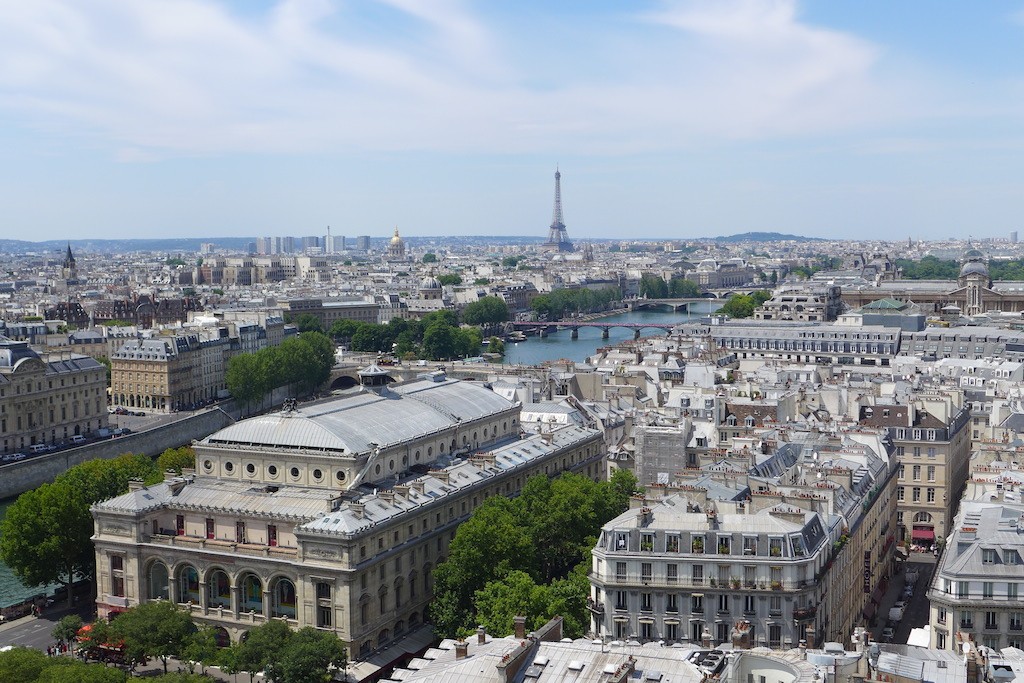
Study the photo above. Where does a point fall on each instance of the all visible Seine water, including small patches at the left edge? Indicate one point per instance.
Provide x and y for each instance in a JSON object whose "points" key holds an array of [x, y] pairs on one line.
{"points": [[554, 347]]}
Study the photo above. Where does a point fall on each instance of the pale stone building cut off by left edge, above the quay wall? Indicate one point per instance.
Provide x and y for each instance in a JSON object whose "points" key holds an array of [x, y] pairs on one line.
{"points": [[49, 400]]}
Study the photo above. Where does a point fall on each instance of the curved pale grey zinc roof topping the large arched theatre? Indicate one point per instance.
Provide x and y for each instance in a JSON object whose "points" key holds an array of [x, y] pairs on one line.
{"points": [[351, 424]]}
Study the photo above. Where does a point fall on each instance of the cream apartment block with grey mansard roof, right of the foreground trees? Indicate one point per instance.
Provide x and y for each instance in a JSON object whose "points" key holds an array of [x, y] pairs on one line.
{"points": [[796, 549]]}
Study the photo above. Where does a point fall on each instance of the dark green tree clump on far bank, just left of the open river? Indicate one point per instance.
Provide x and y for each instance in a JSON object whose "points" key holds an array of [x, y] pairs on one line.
{"points": [[438, 337]]}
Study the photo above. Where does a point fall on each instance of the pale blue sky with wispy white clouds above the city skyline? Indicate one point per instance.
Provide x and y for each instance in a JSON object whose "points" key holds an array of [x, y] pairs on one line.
{"points": [[675, 120]]}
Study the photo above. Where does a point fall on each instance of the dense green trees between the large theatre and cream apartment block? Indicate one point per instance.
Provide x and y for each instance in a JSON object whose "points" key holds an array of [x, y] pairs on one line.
{"points": [[527, 557]]}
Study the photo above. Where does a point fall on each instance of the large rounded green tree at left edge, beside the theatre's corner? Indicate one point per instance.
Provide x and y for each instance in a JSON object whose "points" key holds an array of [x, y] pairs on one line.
{"points": [[45, 538]]}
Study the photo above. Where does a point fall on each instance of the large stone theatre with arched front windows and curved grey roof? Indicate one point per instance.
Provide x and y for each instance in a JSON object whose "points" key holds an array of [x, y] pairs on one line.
{"points": [[331, 516]]}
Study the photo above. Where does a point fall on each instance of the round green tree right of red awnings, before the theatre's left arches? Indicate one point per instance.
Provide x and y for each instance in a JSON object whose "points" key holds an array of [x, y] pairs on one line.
{"points": [[154, 629]]}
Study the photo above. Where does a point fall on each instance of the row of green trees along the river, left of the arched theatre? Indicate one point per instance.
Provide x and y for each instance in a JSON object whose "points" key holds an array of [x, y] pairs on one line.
{"points": [[46, 536]]}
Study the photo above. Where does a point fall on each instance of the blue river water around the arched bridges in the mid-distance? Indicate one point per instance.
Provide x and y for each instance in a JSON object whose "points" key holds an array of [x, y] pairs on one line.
{"points": [[560, 346]]}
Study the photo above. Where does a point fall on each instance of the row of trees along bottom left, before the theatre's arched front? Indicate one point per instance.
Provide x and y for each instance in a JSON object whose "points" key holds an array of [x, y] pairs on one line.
{"points": [[160, 630]]}
